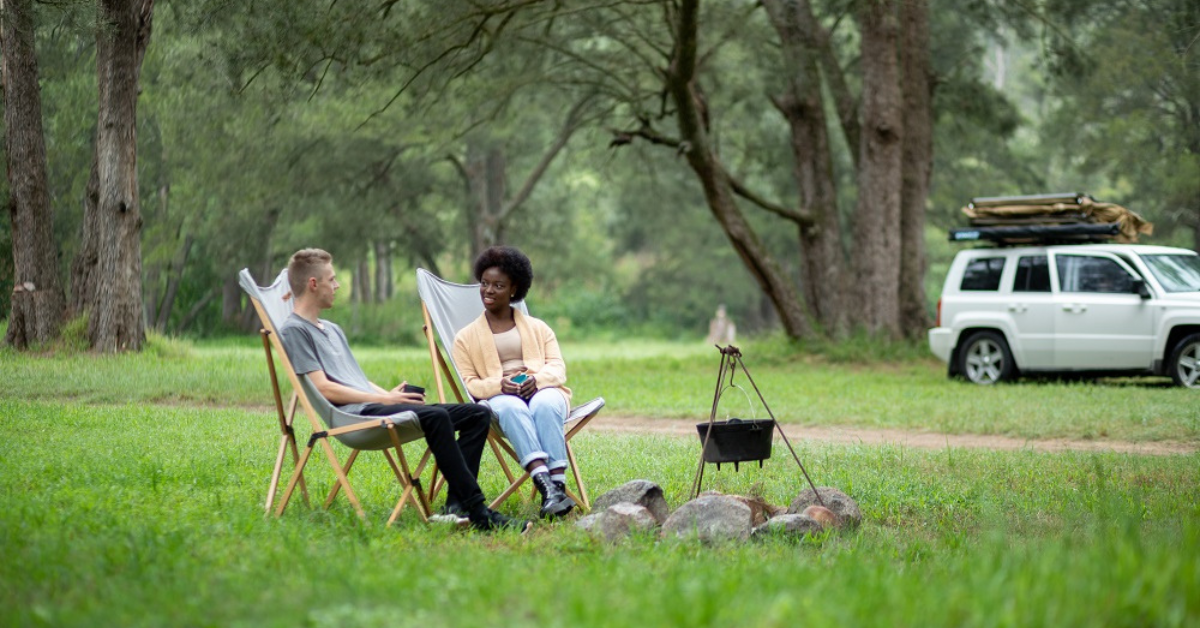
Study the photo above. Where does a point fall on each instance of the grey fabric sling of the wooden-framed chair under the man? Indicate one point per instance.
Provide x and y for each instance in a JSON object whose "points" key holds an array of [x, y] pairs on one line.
{"points": [[277, 301]]}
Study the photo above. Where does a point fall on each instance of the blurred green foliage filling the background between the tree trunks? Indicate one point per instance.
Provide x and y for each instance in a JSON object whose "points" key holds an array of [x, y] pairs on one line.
{"points": [[269, 127]]}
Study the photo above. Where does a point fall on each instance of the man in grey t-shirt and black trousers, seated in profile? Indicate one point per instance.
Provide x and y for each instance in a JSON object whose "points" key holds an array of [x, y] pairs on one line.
{"points": [[320, 350]]}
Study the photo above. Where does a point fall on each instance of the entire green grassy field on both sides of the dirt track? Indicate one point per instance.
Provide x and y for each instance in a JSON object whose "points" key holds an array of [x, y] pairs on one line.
{"points": [[134, 487]]}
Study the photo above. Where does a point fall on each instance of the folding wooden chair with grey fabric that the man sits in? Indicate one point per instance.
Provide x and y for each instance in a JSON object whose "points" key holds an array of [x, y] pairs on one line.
{"points": [[359, 433]]}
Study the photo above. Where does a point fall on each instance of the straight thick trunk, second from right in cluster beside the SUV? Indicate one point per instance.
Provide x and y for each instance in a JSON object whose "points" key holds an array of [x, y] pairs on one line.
{"points": [[878, 216]]}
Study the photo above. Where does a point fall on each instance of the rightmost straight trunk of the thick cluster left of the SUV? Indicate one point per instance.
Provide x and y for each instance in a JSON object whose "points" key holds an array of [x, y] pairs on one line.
{"points": [[919, 162]]}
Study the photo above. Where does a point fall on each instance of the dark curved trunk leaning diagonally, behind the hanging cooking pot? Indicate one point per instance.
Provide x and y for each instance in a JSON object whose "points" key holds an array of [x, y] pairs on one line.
{"points": [[717, 186]]}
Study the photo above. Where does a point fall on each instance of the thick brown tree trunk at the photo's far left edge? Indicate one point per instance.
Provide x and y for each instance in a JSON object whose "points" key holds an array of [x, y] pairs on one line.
{"points": [[38, 300]]}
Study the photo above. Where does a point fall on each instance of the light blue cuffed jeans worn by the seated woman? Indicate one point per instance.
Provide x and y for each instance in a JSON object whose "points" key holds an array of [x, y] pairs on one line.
{"points": [[536, 430]]}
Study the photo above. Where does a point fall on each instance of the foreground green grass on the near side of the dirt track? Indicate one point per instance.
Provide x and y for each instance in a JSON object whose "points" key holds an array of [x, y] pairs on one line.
{"points": [[149, 516]]}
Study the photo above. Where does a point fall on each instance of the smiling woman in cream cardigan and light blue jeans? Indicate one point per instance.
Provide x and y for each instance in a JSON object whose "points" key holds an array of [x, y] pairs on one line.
{"points": [[513, 362]]}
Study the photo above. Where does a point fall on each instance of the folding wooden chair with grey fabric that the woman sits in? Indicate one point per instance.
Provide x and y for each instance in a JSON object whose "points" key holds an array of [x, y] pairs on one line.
{"points": [[448, 308]]}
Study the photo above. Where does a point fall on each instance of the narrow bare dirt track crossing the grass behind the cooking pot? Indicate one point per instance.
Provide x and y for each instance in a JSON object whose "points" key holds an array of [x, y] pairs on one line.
{"points": [[902, 438]]}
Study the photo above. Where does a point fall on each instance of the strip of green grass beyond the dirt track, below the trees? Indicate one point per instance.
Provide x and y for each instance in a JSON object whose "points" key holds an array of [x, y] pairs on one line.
{"points": [[655, 379]]}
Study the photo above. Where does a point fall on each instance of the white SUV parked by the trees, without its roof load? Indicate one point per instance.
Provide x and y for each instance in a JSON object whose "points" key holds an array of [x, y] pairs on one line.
{"points": [[1118, 309]]}
